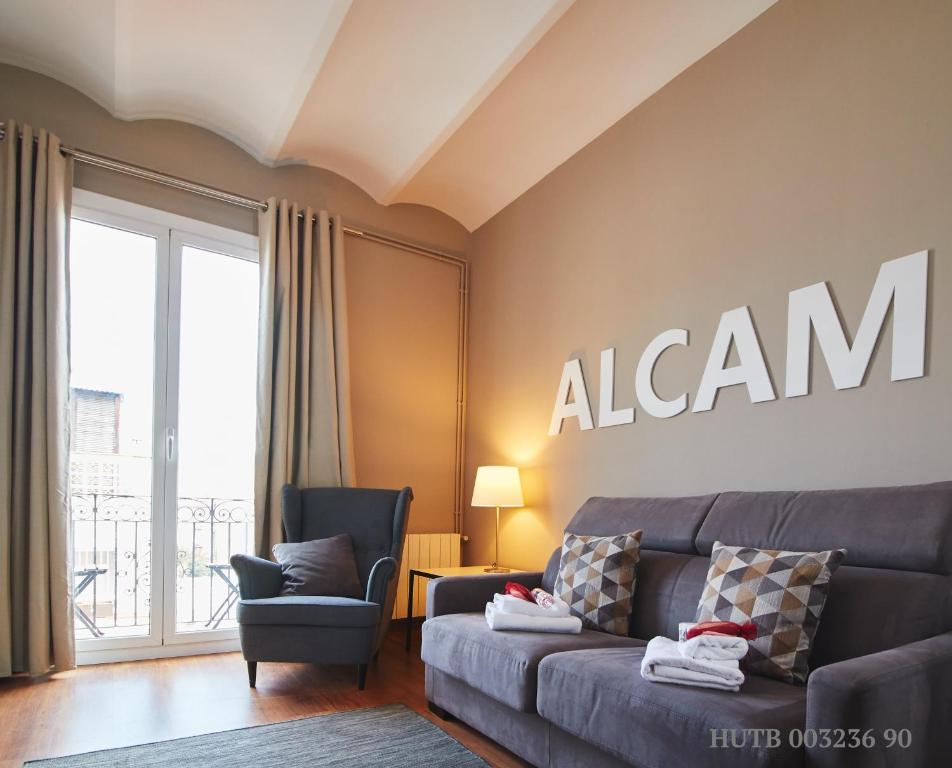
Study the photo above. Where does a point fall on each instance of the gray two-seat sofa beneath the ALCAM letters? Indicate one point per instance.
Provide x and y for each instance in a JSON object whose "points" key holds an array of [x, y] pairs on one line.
{"points": [[882, 657]]}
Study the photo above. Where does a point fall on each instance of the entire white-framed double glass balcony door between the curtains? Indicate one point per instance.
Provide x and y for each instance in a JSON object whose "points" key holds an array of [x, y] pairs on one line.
{"points": [[163, 341]]}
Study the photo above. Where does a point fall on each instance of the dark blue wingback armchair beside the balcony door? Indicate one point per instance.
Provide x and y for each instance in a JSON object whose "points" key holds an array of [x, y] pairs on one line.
{"points": [[325, 630]]}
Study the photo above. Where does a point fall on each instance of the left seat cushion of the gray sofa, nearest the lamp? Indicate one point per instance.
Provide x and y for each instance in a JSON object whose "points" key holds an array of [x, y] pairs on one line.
{"points": [[503, 665]]}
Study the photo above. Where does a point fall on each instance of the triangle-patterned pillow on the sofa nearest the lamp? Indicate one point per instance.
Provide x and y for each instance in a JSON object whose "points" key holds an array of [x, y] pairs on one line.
{"points": [[597, 579]]}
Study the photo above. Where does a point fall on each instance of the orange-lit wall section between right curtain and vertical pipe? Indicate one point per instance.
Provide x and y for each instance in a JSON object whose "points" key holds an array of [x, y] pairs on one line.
{"points": [[404, 312]]}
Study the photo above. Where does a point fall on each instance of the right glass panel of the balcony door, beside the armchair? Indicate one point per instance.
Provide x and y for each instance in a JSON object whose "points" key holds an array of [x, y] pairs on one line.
{"points": [[211, 403]]}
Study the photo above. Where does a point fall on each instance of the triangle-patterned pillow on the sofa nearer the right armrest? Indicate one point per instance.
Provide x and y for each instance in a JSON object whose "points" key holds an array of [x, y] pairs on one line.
{"points": [[783, 593]]}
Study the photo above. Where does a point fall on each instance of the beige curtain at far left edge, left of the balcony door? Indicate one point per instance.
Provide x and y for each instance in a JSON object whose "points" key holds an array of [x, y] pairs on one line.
{"points": [[36, 621]]}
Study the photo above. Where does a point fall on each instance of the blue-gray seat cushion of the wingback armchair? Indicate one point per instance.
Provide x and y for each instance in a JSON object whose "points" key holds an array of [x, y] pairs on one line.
{"points": [[309, 611]]}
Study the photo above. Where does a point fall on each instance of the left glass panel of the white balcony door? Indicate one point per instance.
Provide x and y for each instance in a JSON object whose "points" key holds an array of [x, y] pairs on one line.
{"points": [[118, 274]]}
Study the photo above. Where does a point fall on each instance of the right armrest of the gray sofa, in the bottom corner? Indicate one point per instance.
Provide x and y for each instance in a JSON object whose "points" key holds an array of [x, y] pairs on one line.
{"points": [[909, 687]]}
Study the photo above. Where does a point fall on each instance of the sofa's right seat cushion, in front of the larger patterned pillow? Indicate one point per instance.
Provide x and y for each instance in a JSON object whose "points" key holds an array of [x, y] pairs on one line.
{"points": [[600, 697]]}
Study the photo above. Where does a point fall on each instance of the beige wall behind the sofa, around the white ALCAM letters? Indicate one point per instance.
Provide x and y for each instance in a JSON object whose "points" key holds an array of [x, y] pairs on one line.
{"points": [[813, 145]]}
